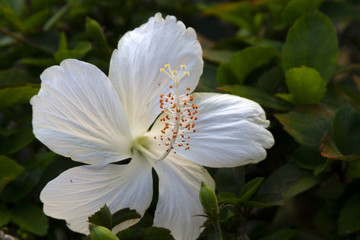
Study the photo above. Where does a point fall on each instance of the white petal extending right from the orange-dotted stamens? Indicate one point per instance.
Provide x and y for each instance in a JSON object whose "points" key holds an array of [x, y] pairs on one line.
{"points": [[230, 131]]}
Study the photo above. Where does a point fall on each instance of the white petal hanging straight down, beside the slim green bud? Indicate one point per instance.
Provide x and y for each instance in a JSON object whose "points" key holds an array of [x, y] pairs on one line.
{"points": [[179, 203]]}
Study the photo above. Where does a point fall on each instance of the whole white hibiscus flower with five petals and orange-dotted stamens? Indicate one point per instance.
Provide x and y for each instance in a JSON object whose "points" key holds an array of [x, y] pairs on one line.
{"points": [[81, 113]]}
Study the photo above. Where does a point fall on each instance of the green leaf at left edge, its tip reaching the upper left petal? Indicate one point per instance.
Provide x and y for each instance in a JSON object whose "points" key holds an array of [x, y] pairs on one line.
{"points": [[17, 95]]}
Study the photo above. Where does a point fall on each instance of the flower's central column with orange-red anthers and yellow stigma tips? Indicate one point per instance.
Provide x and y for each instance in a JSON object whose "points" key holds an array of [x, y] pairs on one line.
{"points": [[178, 113]]}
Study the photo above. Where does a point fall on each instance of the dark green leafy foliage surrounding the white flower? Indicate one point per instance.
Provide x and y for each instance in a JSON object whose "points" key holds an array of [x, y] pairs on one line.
{"points": [[299, 59]]}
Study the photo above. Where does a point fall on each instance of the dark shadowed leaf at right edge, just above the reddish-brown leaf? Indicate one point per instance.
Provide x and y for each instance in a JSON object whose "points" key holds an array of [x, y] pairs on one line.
{"points": [[346, 129]]}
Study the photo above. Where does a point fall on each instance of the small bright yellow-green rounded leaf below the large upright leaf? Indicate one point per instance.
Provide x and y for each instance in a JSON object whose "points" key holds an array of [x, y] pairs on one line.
{"points": [[305, 85]]}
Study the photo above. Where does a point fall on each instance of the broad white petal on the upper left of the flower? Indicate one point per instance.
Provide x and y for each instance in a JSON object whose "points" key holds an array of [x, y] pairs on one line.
{"points": [[77, 113]]}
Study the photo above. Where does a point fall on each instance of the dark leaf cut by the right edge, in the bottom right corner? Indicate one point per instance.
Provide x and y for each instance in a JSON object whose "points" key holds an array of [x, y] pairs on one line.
{"points": [[349, 219]]}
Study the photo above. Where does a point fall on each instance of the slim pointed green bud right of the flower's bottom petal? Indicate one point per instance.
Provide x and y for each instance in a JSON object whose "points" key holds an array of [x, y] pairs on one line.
{"points": [[209, 201]]}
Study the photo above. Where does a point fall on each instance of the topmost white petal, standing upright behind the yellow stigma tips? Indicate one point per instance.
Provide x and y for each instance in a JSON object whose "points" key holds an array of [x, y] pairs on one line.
{"points": [[135, 67]]}
